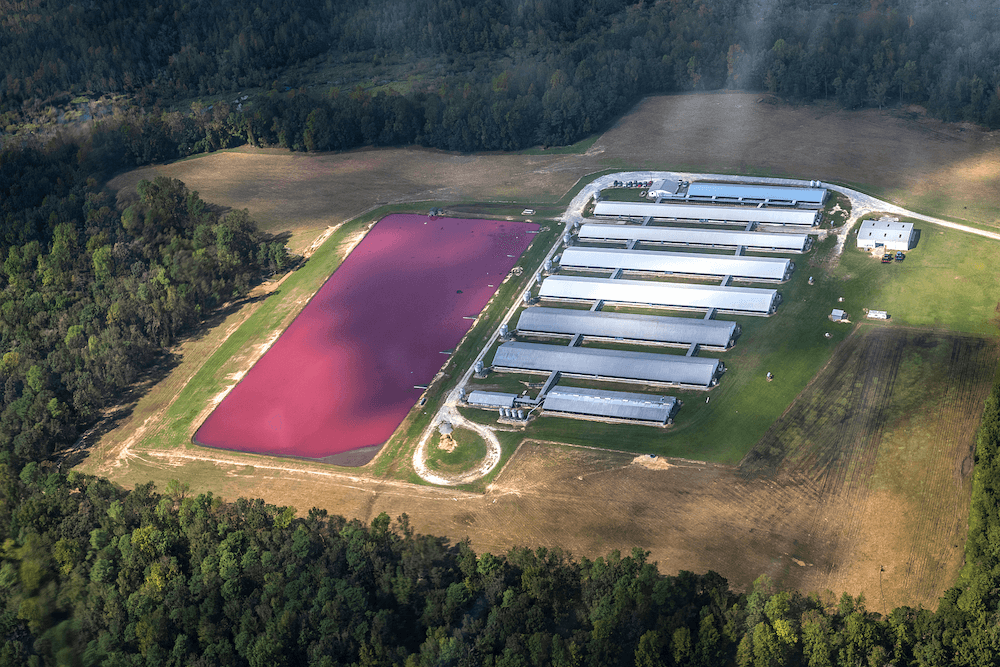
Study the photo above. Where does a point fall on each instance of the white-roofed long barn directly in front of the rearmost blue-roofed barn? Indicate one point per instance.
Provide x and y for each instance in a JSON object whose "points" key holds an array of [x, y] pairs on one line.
{"points": [[708, 213]]}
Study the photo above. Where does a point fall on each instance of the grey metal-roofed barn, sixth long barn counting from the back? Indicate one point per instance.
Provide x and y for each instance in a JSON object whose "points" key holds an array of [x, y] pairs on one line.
{"points": [[678, 331]]}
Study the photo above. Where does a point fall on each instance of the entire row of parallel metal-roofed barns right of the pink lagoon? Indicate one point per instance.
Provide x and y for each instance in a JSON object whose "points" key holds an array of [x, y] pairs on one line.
{"points": [[595, 271]]}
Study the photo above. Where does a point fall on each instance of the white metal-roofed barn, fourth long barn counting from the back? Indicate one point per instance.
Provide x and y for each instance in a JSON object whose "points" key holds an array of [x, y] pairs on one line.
{"points": [[658, 261]]}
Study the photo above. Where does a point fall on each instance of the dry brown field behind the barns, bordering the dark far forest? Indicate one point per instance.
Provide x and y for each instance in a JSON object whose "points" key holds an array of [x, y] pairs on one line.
{"points": [[933, 167]]}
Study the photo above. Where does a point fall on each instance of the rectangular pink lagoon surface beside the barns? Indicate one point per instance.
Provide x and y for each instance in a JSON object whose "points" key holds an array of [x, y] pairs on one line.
{"points": [[342, 376]]}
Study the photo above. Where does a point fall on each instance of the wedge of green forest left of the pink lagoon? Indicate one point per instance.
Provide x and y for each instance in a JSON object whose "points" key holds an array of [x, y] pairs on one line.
{"points": [[91, 294]]}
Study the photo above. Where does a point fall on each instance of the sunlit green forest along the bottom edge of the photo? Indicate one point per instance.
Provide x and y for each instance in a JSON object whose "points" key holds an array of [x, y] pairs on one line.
{"points": [[91, 574]]}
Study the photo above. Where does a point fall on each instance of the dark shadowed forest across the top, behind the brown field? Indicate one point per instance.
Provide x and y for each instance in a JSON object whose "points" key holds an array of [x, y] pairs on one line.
{"points": [[493, 75]]}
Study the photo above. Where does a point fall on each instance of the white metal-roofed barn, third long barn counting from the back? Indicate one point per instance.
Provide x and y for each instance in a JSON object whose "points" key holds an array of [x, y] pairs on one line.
{"points": [[699, 238]]}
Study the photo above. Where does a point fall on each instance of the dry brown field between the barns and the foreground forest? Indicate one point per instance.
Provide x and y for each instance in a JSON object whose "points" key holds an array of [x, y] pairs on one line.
{"points": [[862, 486]]}
